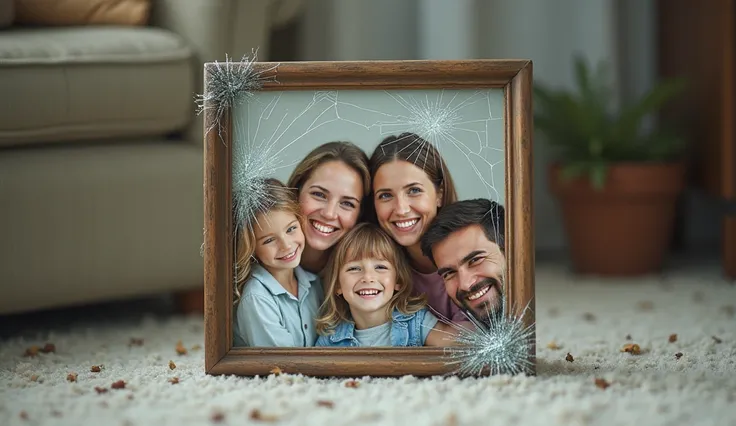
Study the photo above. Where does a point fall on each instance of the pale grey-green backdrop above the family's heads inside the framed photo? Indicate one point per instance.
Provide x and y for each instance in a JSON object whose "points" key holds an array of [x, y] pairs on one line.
{"points": [[467, 127]]}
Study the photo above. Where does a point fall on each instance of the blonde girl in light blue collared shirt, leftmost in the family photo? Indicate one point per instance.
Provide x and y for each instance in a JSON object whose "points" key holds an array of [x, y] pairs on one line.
{"points": [[276, 300]]}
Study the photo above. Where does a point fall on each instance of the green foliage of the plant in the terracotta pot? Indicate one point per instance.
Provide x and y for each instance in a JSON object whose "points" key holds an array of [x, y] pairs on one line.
{"points": [[583, 128]]}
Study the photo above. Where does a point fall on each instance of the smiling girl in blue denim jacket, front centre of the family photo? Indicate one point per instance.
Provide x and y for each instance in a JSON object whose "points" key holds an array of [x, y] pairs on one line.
{"points": [[369, 300]]}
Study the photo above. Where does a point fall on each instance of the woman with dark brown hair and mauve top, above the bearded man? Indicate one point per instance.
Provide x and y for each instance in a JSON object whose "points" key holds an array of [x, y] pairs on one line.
{"points": [[411, 183]]}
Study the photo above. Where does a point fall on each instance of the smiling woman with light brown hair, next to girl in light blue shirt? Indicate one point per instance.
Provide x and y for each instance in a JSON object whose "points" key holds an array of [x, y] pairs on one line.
{"points": [[331, 183]]}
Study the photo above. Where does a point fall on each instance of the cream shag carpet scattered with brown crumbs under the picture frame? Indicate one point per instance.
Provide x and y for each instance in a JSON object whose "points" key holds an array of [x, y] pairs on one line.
{"points": [[591, 319]]}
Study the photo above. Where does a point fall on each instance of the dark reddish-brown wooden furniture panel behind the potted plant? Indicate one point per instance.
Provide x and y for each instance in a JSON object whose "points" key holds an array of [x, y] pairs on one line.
{"points": [[706, 112]]}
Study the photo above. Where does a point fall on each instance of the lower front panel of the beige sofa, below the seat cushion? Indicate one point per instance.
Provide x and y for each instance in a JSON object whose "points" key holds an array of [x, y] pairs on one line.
{"points": [[91, 223]]}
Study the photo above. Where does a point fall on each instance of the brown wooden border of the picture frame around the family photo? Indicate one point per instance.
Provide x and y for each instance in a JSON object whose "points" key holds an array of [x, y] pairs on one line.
{"points": [[514, 77]]}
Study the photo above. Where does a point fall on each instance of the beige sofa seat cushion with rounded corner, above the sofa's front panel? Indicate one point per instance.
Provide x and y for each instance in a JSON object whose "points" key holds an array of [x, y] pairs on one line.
{"points": [[78, 83]]}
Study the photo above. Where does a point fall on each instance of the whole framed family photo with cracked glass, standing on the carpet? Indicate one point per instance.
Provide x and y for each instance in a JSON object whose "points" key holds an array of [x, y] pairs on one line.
{"points": [[393, 241]]}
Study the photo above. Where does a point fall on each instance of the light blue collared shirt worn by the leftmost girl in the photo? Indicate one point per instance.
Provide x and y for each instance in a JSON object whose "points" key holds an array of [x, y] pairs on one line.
{"points": [[269, 316]]}
